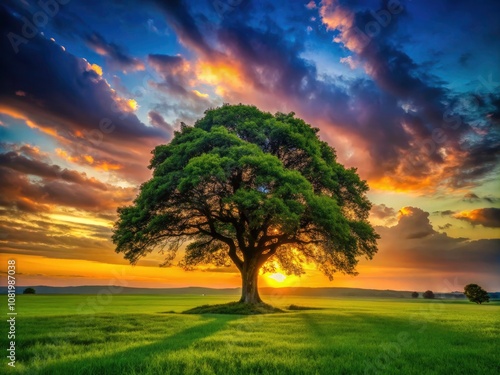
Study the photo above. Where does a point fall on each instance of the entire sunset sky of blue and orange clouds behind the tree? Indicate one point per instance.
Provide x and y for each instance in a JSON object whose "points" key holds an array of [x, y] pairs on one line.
{"points": [[408, 92]]}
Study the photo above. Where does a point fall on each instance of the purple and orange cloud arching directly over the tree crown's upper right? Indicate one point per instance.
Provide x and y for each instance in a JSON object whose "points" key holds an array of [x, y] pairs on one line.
{"points": [[349, 117]]}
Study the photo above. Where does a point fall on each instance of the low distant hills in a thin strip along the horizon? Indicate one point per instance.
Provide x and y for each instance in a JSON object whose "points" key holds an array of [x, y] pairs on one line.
{"points": [[296, 291]]}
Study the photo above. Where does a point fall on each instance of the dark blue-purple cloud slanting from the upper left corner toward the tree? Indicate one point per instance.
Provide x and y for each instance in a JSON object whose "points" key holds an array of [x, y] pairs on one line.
{"points": [[59, 87]]}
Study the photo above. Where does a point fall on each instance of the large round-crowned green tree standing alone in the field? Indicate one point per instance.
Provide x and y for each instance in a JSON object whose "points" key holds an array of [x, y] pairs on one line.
{"points": [[251, 188]]}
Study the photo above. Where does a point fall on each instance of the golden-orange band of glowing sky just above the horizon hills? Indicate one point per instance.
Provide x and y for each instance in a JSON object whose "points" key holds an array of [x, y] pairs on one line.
{"points": [[34, 270]]}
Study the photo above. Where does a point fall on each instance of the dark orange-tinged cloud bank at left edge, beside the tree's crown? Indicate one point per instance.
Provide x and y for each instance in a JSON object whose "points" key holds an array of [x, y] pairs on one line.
{"points": [[31, 183]]}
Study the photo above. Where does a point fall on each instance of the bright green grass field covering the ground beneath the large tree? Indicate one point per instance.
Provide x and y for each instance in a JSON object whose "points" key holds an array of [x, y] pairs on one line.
{"points": [[124, 334]]}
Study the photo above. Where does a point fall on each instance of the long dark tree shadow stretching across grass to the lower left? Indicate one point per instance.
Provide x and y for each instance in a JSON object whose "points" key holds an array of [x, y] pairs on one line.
{"points": [[135, 360]]}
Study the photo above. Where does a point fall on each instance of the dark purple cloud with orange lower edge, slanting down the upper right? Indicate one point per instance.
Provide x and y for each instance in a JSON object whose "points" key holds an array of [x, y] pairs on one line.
{"points": [[425, 143]]}
